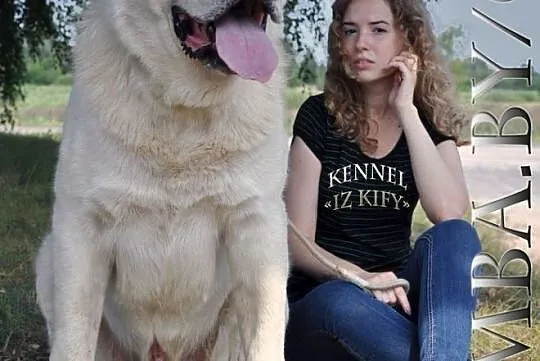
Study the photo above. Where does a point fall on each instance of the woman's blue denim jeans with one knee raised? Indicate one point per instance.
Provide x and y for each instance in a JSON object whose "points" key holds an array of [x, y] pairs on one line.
{"points": [[338, 321]]}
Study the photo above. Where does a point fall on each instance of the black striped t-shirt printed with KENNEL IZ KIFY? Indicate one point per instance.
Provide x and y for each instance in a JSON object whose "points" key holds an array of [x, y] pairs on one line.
{"points": [[365, 205]]}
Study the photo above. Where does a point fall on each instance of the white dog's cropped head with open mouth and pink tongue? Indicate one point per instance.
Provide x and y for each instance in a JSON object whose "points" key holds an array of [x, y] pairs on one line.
{"points": [[193, 49]]}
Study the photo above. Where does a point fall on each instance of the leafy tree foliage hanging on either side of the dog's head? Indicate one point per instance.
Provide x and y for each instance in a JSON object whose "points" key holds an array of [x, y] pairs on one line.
{"points": [[29, 23]]}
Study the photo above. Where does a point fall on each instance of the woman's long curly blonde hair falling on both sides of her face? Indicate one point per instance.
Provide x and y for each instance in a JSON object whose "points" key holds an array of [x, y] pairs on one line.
{"points": [[434, 95]]}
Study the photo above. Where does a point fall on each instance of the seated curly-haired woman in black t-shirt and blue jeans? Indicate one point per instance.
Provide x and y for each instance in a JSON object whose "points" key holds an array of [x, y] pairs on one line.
{"points": [[381, 137]]}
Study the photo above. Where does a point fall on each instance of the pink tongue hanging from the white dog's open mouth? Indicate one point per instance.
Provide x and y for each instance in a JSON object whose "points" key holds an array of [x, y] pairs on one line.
{"points": [[245, 48]]}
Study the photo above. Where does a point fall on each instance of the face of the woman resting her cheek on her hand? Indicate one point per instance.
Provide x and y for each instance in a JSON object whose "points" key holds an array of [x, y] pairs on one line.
{"points": [[370, 40]]}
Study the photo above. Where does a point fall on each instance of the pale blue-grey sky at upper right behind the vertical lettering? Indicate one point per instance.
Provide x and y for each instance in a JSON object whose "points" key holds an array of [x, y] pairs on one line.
{"points": [[522, 16]]}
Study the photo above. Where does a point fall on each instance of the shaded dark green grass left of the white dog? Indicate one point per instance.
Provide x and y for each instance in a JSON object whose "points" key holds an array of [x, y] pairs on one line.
{"points": [[26, 172]]}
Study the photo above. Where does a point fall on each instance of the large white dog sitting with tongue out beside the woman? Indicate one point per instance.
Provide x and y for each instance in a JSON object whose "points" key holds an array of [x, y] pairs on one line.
{"points": [[169, 233]]}
